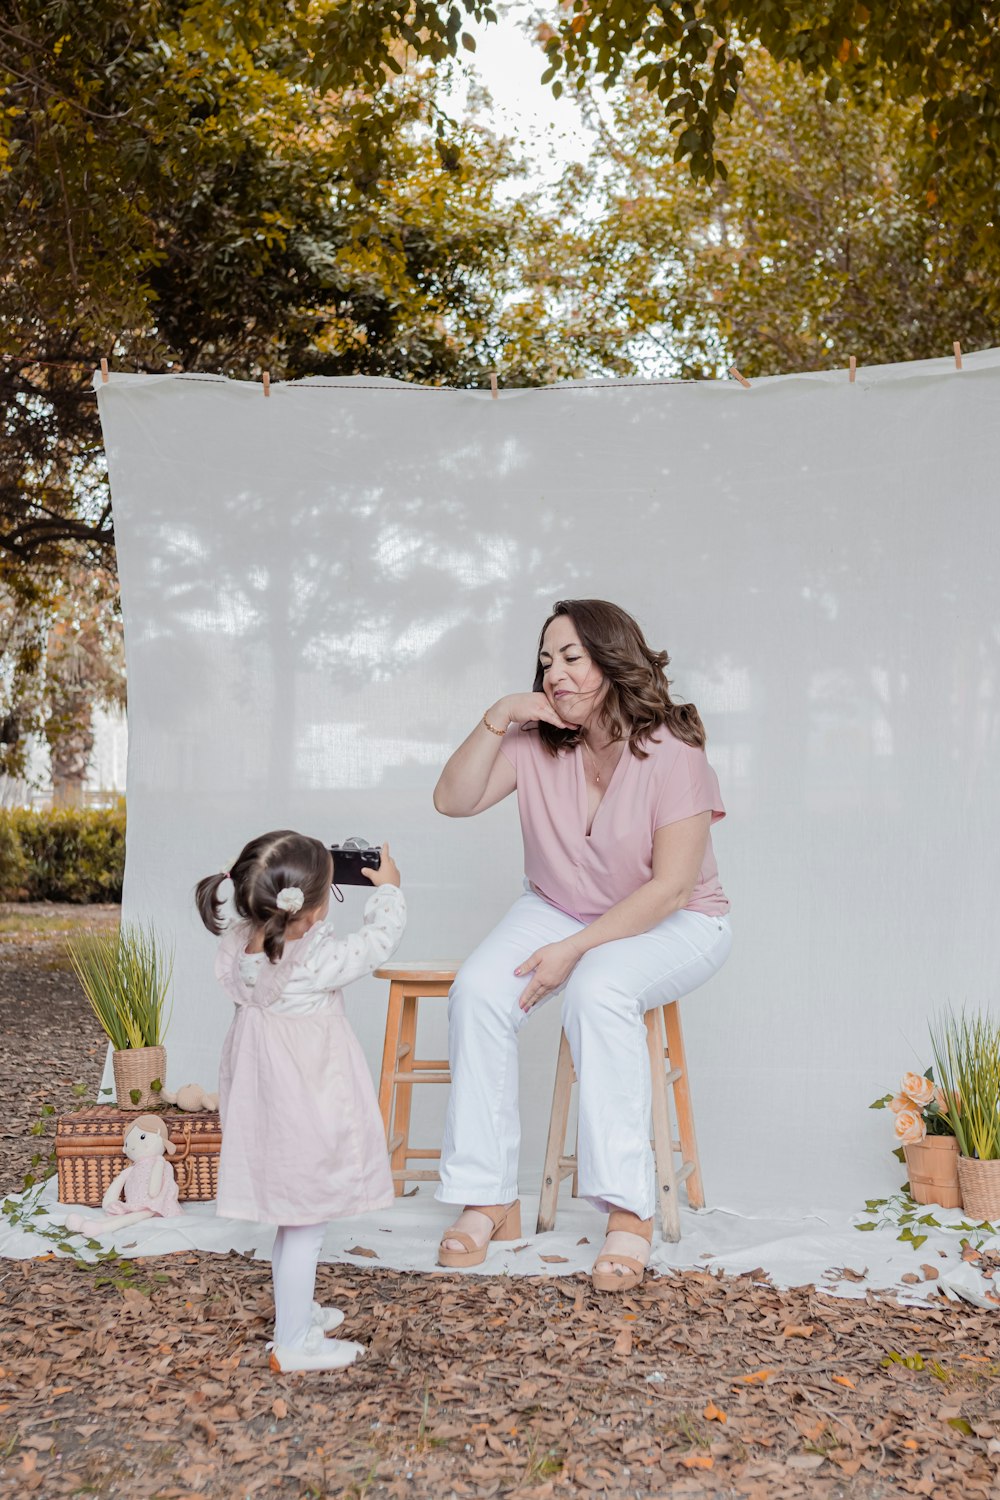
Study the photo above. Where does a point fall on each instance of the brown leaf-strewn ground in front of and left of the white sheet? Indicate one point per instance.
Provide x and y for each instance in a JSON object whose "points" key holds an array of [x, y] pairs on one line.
{"points": [[151, 1379]]}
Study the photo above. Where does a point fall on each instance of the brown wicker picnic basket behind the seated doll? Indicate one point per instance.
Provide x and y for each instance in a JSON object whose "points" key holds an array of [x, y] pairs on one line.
{"points": [[89, 1153]]}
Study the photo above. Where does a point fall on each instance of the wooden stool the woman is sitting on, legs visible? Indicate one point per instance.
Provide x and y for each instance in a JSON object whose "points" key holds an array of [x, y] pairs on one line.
{"points": [[669, 1178]]}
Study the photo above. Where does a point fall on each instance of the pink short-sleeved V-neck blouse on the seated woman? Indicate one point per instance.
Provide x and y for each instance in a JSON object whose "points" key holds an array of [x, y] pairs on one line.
{"points": [[584, 874]]}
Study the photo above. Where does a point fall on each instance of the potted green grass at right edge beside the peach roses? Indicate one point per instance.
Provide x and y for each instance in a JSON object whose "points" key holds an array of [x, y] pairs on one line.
{"points": [[968, 1063]]}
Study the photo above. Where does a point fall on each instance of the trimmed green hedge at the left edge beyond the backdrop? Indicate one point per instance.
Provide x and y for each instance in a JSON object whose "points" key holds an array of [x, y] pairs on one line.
{"points": [[70, 854]]}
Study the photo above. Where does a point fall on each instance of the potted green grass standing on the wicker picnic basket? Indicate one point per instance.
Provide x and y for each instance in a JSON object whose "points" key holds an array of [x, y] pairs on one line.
{"points": [[125, 976]]}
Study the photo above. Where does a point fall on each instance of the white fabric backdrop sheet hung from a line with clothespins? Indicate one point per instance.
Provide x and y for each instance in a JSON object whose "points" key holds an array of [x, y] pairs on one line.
{"points": [[326, 589]]}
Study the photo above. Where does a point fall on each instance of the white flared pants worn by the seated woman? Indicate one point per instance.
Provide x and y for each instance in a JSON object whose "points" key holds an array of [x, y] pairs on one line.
{"points": [[603, 1009]]}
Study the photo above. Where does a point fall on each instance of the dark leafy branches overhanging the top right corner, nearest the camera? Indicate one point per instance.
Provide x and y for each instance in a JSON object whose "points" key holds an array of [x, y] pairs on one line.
{"points": [[941, 55]]}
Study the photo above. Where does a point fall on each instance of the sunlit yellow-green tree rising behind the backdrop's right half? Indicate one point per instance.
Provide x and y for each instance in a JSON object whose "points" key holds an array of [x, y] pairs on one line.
{"points": [[819, 245]]}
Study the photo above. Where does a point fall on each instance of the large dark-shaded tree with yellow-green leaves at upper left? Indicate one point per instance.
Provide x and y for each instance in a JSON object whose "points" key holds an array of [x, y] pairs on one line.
{"points": [[176, 193]]}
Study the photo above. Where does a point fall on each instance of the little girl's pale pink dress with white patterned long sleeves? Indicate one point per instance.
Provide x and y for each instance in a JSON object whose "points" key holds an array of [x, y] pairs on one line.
{"points": [[302, 1135]]}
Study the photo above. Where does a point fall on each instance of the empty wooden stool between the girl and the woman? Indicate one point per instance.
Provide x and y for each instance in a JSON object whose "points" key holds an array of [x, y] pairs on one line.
{"points": [[397, 1085]]}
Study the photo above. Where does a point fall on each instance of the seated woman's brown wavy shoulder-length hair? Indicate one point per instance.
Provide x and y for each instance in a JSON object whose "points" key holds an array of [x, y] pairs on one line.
{"points": [[638, 700]]}
